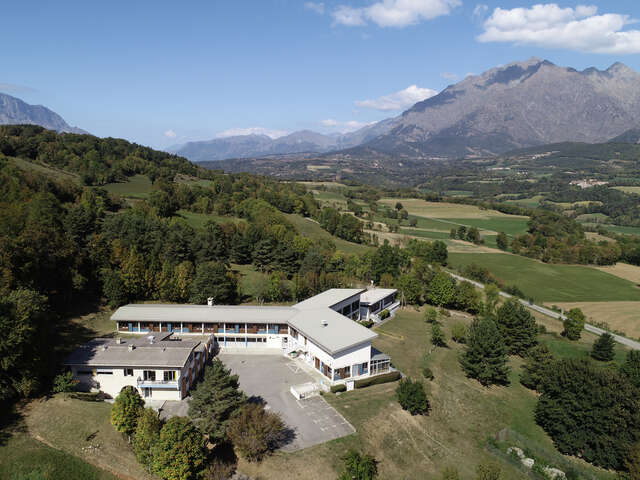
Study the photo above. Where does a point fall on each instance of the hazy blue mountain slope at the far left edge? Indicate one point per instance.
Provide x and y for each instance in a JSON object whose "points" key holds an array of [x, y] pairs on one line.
{"points": [[14, 111]]}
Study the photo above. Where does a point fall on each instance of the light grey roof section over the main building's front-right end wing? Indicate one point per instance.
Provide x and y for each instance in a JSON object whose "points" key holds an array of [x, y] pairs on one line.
{"points": [[339, 333]]}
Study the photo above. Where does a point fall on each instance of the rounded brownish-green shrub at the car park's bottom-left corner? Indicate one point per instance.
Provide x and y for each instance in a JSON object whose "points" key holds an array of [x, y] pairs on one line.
{"points": [[256, 431]]}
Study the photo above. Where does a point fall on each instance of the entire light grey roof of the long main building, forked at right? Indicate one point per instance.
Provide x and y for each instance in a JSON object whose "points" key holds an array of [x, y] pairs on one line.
{"points": [[340, 332]]}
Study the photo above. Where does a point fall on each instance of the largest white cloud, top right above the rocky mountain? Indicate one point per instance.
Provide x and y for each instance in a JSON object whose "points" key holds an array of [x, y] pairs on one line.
{"points": [[548, 25]]}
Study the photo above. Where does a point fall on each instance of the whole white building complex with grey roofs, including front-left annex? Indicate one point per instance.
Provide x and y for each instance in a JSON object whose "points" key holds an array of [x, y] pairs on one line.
{"points": [[322, 330]]}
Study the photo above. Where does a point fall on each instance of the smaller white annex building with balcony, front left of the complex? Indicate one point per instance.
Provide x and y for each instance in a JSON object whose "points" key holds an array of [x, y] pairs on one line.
{"points": [[161, 369]]}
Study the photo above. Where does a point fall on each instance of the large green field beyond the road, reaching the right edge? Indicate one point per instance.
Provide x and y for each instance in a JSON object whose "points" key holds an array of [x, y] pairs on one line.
{"points": [[552, 283]]}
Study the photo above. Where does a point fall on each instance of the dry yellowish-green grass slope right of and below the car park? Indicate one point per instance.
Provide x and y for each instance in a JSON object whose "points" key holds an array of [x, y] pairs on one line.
{"points": [[463, 413]]}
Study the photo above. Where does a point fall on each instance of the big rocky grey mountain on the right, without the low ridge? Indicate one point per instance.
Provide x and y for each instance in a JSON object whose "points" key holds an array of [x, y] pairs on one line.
{"points": [[518, 105]]}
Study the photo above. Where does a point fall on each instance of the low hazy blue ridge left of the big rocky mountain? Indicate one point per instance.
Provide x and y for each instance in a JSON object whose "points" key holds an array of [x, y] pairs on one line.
{"points": [[250, 146]]}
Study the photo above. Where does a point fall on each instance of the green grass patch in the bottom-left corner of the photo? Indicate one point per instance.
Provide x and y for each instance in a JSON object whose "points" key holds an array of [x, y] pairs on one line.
{"points": [[24, 458]]}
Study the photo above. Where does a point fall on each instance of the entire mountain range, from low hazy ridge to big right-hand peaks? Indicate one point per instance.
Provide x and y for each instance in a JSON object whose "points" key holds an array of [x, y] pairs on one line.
{"points": [[514, 106]]}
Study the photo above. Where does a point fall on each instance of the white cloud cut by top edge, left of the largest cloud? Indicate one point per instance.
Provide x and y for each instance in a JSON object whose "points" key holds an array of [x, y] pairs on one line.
{"points": [[393, 13]]}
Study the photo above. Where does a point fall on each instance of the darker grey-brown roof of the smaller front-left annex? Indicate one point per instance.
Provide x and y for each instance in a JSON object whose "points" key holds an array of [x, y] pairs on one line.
{"points": [[105, 352]]}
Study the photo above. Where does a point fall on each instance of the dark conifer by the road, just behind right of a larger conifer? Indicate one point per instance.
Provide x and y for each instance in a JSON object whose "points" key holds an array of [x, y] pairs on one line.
{"points": [[518, 326]]}
